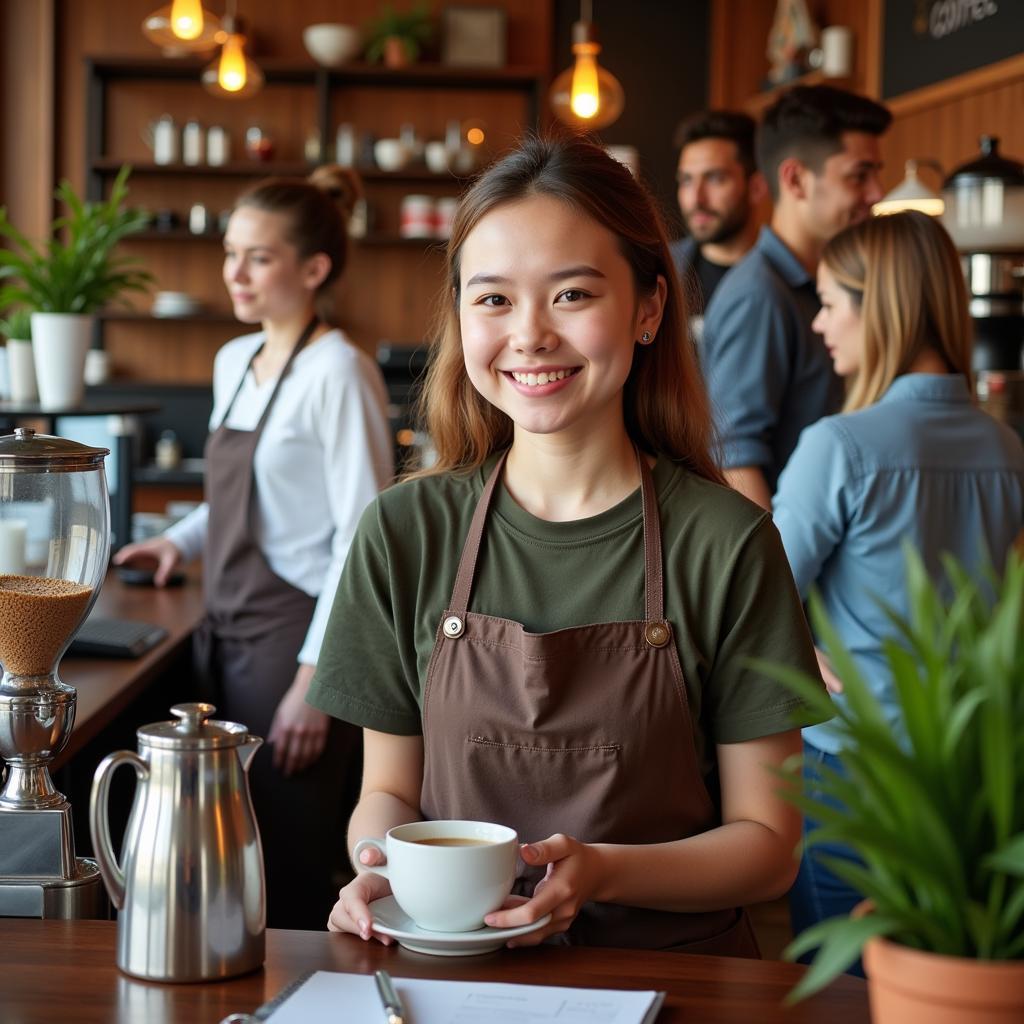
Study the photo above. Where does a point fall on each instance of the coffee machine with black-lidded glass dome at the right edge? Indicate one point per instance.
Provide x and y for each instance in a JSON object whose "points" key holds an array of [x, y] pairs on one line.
{"points": [[985, 215]]}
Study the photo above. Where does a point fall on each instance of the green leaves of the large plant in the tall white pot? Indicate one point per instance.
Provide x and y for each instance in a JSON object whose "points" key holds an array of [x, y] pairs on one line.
{"points": [[79, 273]]}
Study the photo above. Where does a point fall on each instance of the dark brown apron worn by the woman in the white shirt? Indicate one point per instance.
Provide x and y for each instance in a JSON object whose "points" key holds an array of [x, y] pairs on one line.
{"points": [[246, 652]]}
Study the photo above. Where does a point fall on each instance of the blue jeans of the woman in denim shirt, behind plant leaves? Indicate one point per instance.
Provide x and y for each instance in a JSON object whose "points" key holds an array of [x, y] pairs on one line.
{"points": [[819, 893]]}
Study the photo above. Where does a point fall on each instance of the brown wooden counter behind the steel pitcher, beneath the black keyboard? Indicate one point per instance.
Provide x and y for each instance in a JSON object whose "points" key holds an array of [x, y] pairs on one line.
{"points": [[107, 687]]}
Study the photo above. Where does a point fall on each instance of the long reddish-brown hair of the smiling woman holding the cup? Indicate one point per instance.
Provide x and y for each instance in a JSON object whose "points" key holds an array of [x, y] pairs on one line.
{"points": [[665, 404]]}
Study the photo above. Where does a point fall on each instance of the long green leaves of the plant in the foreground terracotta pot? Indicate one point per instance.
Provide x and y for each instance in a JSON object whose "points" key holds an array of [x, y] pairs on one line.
{"points": [[937, 816]]}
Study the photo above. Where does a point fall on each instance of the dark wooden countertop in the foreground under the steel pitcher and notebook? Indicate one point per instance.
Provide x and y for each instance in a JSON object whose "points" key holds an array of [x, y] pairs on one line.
{"points": [[56, 971]]}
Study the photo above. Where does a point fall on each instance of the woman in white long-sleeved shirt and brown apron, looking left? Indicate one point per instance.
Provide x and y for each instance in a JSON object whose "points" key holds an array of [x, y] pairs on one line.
{"points": [[300, 444]]}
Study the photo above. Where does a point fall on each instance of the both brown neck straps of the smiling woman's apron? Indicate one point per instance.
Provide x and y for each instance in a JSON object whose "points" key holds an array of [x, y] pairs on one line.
{"points": [[654, 579]]}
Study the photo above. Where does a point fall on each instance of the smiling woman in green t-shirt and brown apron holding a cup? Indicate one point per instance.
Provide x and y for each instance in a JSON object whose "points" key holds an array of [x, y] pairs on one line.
{"points": [[550, 629]]}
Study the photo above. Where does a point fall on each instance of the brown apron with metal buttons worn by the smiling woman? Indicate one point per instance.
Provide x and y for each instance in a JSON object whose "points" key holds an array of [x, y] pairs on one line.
{"points": [[585, 732]]}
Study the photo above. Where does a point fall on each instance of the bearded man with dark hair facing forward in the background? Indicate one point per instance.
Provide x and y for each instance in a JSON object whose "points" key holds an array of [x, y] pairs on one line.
{"points": [[719, 191]]}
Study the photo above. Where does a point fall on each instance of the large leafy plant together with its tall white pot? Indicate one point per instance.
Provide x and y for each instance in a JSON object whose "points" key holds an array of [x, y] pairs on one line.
{"points": [[68, 279]]}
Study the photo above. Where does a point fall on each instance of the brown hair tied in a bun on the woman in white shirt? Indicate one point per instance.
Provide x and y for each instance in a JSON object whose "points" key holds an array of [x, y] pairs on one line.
{"points": [[317, 214]]}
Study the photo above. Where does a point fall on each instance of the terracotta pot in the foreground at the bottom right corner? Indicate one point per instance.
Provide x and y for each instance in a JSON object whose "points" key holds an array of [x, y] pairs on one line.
{"points": [[907, 987]]}
